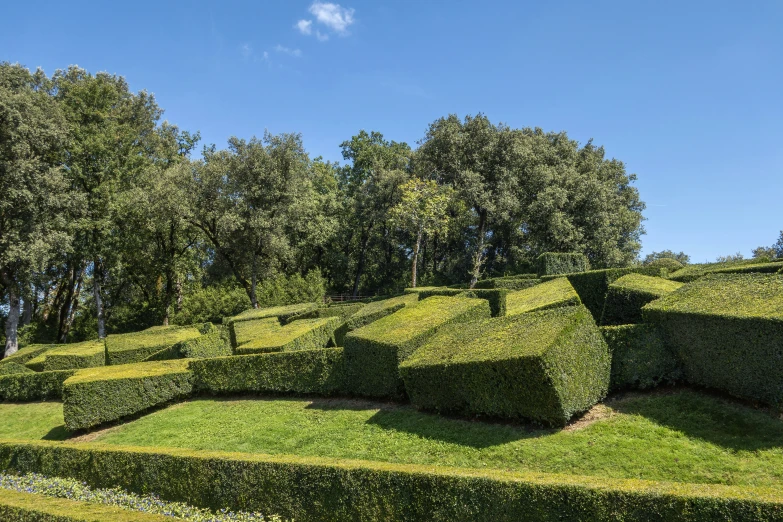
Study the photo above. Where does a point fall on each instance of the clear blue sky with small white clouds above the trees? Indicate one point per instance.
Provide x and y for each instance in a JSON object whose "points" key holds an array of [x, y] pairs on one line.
{"points": [[687, 94]]}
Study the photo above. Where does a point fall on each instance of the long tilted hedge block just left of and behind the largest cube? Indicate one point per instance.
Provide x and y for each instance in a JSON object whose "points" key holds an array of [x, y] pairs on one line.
{"points": [[373, 352]]}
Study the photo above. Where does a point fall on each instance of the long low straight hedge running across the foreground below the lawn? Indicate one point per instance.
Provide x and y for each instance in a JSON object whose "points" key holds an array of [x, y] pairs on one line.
{"points": [[317, 489]]}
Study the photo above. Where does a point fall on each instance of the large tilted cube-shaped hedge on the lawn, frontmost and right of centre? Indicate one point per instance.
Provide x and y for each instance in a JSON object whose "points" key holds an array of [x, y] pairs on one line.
{"points": [[545, 366]]}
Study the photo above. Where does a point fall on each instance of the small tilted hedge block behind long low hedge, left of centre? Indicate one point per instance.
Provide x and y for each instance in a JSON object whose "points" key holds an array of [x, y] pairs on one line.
{"points": [[268, 336]]}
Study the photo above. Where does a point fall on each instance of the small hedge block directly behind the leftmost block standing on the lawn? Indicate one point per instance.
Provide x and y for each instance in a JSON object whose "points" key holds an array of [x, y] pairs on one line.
{"points": [[135, 347]]}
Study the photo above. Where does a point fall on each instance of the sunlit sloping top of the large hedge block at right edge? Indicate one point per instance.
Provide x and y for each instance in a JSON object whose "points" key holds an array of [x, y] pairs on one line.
{"points": [[757, 296]]}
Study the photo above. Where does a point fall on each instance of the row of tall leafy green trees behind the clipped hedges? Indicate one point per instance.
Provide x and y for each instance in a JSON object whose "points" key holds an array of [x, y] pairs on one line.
{"points": [[110, 221]]}
